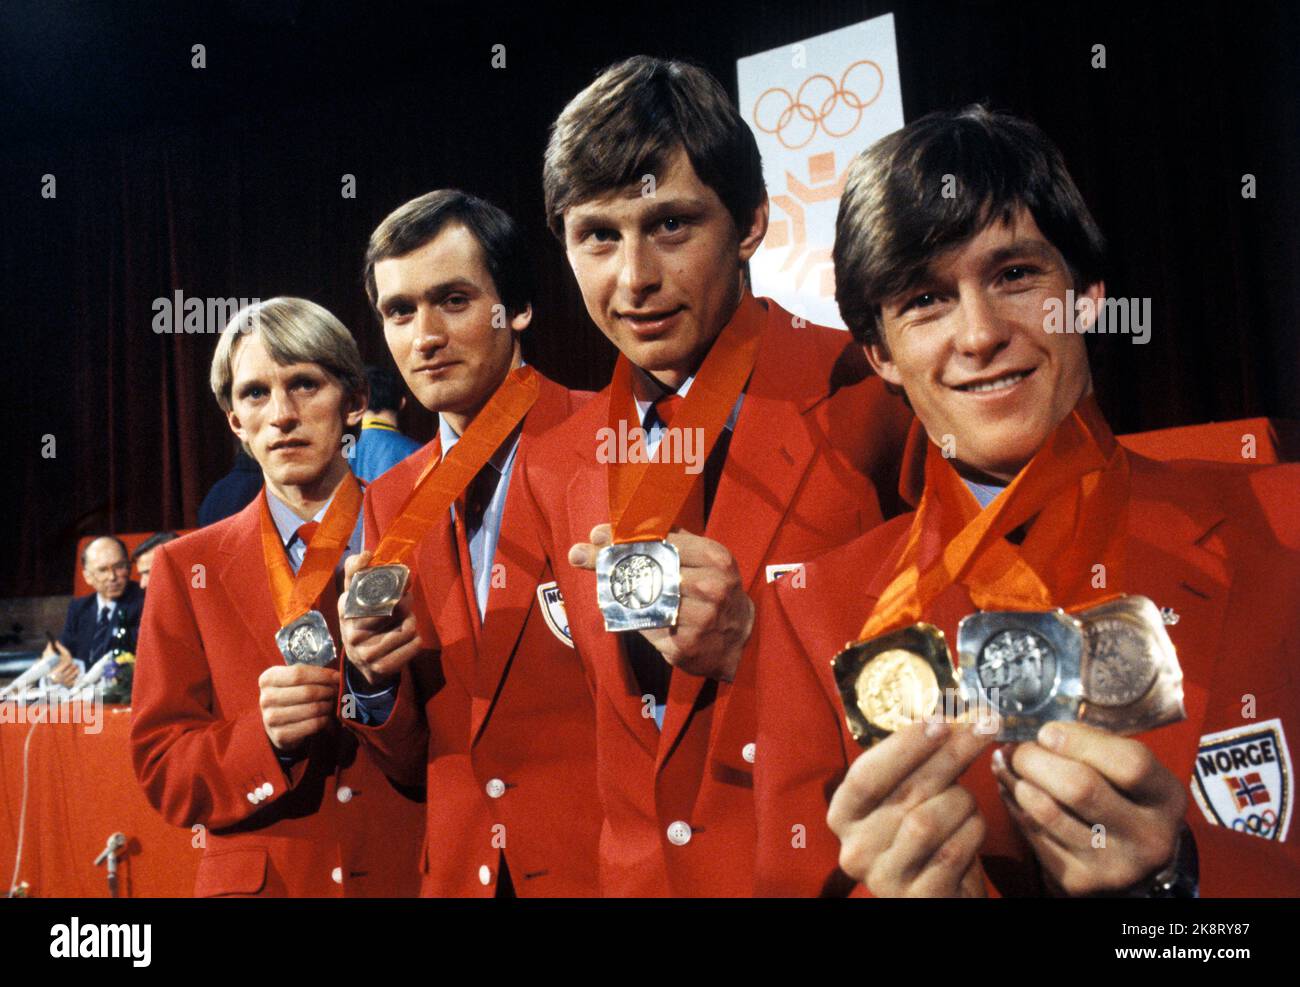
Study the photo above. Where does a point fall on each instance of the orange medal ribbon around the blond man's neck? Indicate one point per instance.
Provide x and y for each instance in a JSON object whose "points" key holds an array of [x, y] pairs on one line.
{"points": [[292, 595]]}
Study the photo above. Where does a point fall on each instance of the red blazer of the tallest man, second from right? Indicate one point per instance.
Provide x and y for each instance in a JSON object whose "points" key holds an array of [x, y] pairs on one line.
{"points": [[817, 439]]}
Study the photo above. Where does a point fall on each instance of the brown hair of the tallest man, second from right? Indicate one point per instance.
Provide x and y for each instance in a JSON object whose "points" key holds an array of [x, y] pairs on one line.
{"points": [[632, 119]]}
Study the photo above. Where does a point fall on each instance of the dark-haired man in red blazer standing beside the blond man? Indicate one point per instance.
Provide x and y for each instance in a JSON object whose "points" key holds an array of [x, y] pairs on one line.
{"points": [[499, 721]]}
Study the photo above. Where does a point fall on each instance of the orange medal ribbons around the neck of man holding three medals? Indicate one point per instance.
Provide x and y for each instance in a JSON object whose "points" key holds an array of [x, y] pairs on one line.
{"points": [[1074, 491]]}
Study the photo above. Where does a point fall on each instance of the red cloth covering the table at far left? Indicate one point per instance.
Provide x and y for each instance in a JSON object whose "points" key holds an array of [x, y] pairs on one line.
{"points": [[81, 790]]}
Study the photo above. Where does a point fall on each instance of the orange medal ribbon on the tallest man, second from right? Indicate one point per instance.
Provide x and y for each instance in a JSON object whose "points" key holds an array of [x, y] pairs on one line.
{"points": [[647, 497]]}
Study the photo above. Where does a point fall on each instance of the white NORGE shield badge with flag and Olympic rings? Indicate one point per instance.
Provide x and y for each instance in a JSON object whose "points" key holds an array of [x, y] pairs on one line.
{"points": [[1243, 780]]}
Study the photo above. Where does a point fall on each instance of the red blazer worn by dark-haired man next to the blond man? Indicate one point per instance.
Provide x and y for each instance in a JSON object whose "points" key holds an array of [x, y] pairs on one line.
{"points": [[500, 725]]}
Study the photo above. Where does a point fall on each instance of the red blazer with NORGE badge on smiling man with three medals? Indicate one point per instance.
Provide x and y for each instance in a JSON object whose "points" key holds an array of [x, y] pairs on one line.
{"points": [[1219, 544]]}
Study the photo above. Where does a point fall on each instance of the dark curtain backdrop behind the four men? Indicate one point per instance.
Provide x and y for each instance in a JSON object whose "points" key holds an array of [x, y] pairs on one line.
{"points": [[227, 183]]}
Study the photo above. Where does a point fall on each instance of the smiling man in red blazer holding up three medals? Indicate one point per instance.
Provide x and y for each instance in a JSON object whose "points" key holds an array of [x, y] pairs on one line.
{"points": [[1026, 493]]}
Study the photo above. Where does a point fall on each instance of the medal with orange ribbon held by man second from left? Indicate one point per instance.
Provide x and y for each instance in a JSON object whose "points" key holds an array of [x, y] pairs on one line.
{"points": [[376, 590]]}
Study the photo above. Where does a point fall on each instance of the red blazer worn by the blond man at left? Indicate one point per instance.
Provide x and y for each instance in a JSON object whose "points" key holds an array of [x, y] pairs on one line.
{"points": [[335, 826]]}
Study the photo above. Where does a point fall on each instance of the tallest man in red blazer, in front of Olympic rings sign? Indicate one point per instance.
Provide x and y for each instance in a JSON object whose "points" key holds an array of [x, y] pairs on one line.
{"points": [[808, 454]]}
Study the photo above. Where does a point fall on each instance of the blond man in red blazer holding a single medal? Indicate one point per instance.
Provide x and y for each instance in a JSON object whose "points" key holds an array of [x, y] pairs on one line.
{"points": [[228, 739]]}
